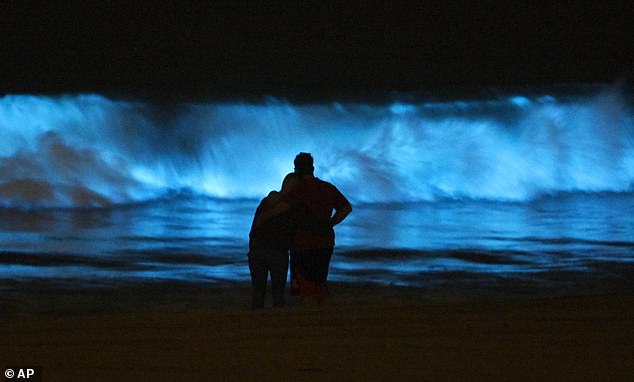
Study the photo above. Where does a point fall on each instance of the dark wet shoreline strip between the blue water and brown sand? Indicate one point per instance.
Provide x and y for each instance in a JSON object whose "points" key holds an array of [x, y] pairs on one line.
{"points": [[68, 298]]}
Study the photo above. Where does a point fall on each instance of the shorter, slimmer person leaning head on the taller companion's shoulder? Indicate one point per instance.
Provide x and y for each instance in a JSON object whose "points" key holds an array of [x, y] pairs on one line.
{"points": [[269, 244]]}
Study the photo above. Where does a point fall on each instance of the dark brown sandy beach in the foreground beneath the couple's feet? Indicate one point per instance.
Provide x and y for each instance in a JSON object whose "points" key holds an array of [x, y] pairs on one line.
{"points": [[364, 333]]}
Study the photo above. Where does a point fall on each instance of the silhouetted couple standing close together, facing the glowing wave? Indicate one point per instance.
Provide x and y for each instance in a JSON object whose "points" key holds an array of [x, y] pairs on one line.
{"points": [[299, 218]]}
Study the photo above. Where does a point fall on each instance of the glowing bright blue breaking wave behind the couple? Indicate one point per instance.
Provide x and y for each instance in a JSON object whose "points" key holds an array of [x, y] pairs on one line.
{"points": [[87, 150]]}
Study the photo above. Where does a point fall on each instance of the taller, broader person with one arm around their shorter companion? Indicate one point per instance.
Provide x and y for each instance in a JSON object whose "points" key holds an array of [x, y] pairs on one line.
{"points": [[314, 239]]}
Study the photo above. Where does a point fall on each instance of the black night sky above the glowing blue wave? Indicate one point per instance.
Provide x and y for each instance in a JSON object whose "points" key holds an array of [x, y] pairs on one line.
{"points": [[226, 49]]}
